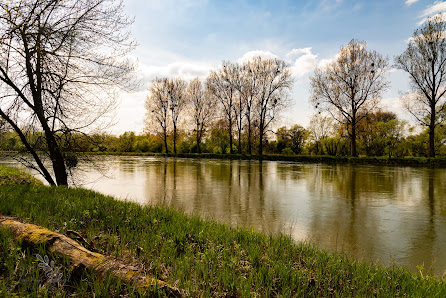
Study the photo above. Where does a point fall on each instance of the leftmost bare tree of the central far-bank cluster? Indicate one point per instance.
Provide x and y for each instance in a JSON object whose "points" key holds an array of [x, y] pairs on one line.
{"points": [[157, 107]]}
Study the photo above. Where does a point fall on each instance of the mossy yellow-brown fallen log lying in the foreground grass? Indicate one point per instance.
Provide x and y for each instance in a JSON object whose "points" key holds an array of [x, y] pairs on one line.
{"points": [[82, 258]]}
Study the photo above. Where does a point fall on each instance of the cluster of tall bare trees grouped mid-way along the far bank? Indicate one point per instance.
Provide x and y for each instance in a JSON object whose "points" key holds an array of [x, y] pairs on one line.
{"points": [[233, 109]]}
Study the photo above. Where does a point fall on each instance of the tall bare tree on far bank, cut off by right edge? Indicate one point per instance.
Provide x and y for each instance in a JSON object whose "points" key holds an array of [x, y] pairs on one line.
{"points": [[425, 62]]}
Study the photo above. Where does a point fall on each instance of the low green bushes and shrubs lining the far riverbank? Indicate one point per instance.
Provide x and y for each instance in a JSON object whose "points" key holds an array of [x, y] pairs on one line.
{"points": [[380, 134]]}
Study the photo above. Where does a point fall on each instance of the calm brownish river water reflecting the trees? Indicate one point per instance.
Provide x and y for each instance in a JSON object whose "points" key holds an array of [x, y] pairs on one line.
{"points": [[382, 214]]}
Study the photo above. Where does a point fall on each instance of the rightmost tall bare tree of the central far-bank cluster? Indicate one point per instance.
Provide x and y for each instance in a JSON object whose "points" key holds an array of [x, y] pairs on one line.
{"points": [[274, 83]]}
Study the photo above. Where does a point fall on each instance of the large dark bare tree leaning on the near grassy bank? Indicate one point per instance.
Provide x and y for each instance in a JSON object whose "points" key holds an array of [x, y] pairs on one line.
{"points": [[60, 64]]}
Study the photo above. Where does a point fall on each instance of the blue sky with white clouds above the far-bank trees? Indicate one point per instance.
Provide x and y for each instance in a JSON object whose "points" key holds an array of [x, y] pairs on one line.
{"points": [[188, 38]]}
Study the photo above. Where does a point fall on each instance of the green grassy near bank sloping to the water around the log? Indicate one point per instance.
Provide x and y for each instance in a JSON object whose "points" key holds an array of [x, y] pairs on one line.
{"points": [[201, 257]]}
